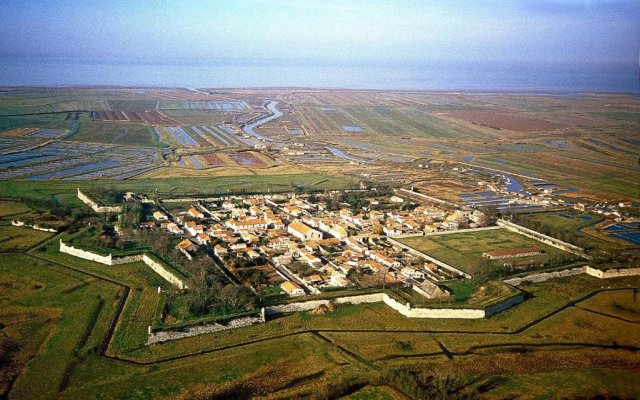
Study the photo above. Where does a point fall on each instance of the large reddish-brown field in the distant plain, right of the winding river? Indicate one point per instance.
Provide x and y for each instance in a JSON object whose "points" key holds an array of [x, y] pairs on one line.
{"points": [[497, 120]]}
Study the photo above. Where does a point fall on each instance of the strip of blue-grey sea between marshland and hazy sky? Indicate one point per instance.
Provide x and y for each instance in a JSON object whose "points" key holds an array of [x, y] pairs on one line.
{"points": [[226, 73]]}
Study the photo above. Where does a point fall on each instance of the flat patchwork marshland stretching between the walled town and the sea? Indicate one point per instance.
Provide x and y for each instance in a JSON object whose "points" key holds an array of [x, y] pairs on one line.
{"points": [[584, 143]]}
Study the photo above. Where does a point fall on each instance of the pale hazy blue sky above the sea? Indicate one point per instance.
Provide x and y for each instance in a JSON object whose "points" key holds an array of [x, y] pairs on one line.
{"points": [[408, 30]]}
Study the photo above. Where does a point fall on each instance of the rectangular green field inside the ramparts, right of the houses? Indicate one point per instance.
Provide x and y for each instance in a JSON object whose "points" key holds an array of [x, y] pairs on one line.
{"points": [[464, 250]]}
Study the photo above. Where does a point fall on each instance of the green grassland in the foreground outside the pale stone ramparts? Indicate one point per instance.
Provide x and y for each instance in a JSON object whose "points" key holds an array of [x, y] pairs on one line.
{"points": [[69, 309]]}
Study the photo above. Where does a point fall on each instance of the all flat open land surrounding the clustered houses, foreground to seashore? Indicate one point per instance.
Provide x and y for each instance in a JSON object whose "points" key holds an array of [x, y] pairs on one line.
{"points": [[74, 329]]}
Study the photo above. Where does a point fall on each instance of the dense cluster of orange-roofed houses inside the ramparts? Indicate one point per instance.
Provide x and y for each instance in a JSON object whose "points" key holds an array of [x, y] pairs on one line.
{"points": [[309, 246]]}
